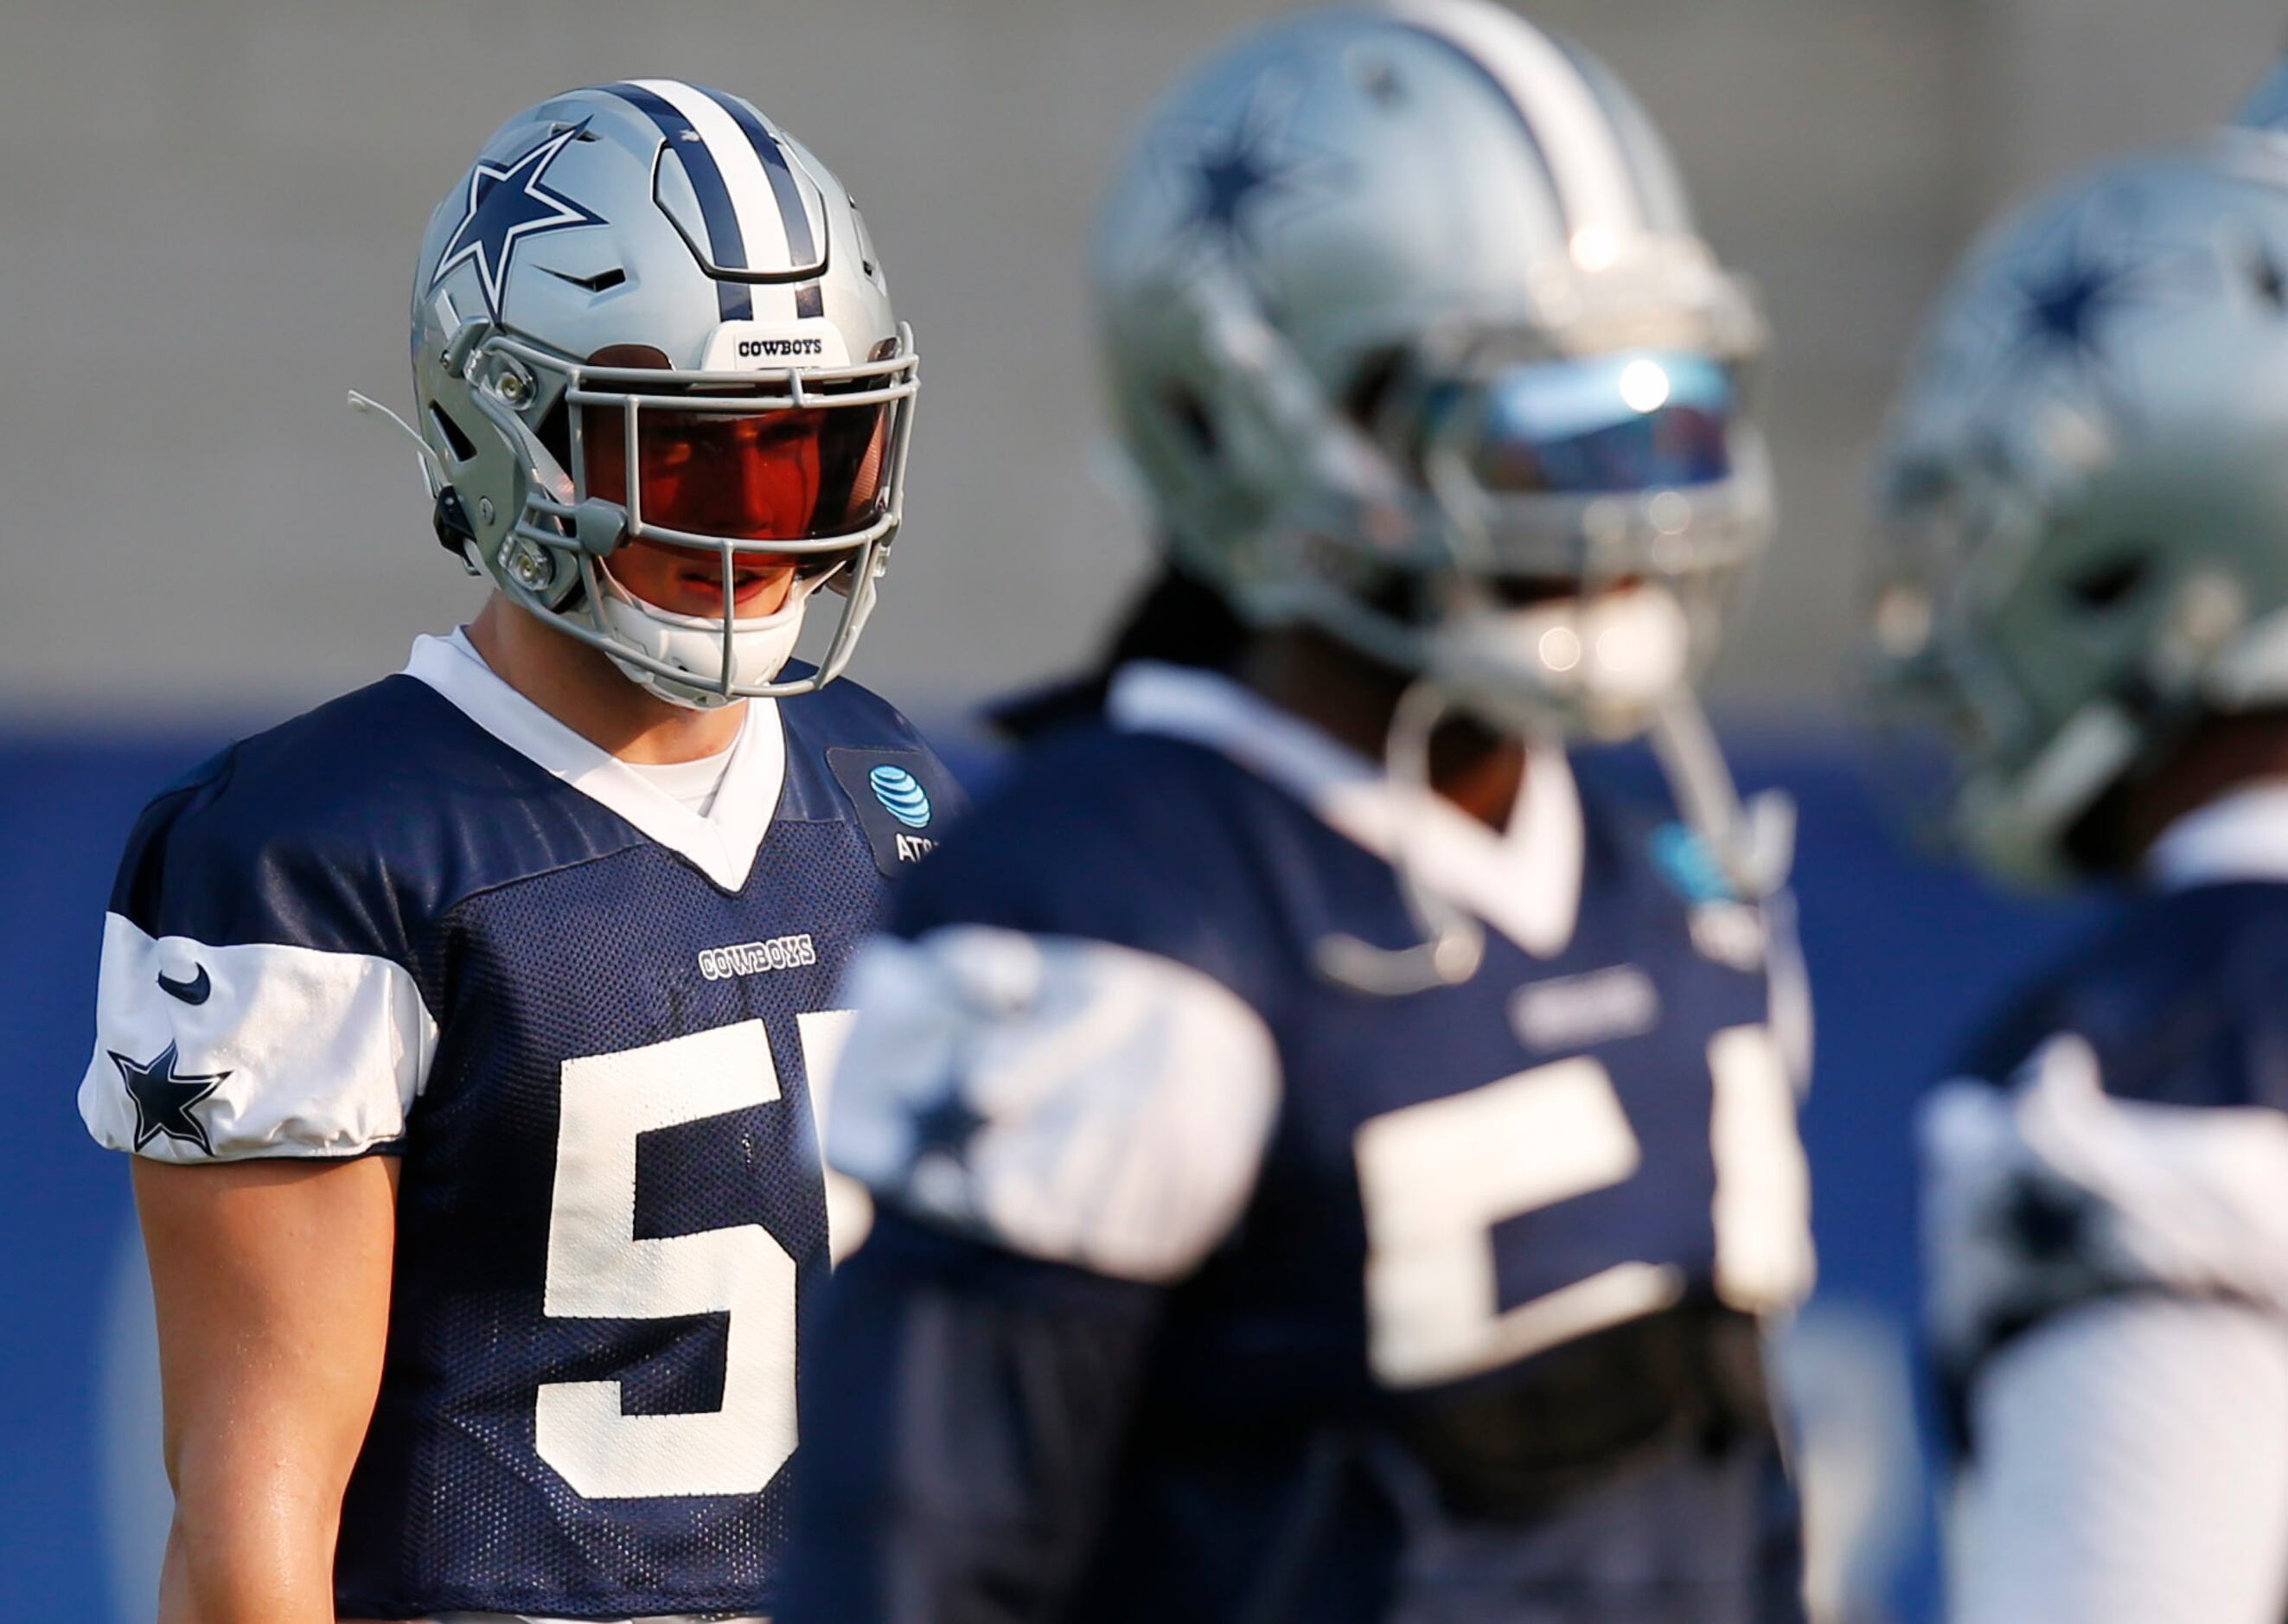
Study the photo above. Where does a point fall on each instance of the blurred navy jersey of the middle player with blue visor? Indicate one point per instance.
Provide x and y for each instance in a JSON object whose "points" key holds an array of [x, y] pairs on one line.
{"points": [[1214, 1289]]}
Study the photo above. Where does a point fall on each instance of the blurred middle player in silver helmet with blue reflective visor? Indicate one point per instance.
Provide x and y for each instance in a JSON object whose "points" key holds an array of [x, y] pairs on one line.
{"points": [[1330, 1161]]}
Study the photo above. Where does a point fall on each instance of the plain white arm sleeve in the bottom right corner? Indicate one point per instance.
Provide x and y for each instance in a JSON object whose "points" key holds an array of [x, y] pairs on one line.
{"points": [[2131, 1470]]}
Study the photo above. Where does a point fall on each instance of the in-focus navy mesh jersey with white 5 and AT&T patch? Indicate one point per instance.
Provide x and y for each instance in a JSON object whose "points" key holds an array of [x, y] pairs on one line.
{"points": [[427, 921]]}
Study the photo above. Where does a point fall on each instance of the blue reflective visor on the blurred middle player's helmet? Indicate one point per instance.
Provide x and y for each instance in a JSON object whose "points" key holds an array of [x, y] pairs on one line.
{"points": [[1605, 424]]}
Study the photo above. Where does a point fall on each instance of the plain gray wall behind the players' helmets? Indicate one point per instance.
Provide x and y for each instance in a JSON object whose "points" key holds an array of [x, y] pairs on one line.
{"points": [[212, 212]]}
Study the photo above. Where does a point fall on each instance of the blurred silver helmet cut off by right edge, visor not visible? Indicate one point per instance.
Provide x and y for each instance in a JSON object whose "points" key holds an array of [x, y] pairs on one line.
{"points": [[2083, 497]]}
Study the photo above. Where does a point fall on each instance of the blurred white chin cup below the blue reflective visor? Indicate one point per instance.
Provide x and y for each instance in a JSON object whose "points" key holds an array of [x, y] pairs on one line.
{"points": [[1589, 664]]}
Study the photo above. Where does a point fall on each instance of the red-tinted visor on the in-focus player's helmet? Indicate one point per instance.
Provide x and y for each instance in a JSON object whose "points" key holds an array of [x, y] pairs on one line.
{"points": [[761, 477]]}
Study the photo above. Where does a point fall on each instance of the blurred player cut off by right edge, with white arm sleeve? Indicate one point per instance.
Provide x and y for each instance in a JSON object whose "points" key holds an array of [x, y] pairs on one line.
{"points": [[2086, 502]]}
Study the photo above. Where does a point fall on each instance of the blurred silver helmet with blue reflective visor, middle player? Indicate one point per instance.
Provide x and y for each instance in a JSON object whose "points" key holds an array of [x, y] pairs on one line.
{"points": [[1411, 337]]}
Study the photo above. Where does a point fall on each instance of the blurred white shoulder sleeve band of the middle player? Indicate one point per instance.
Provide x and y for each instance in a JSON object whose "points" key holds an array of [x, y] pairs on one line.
{"points": [[1067, 1099]]}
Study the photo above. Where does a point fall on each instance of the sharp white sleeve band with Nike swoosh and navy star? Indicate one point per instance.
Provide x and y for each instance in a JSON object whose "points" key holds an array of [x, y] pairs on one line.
{"points": [[251, 1051]]}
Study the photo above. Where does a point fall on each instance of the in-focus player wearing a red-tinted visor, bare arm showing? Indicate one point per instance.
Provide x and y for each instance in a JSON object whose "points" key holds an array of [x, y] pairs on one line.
{"points": [[472, 1030]]}
